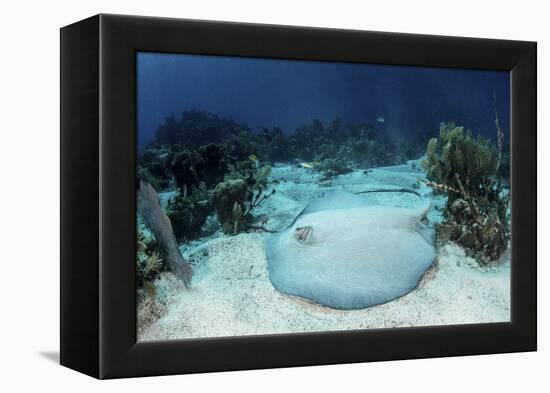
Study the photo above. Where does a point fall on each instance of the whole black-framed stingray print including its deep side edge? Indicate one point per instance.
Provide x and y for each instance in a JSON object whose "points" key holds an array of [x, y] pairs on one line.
{"points": [[239, 196]]}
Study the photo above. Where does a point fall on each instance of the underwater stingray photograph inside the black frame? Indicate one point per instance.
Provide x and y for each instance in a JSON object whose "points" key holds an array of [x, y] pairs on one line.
{"points": [[283, 196]]}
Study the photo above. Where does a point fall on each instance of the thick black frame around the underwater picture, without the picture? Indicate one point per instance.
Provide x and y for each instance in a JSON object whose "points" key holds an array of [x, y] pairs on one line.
{"points": [[98, 158]]}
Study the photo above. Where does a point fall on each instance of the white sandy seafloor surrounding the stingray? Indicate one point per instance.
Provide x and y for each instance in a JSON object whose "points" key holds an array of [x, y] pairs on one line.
{"points": [[232, 295]]}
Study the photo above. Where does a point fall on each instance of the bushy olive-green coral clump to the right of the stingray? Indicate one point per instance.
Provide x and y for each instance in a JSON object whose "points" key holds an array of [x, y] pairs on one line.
{"points": [[466, 168]]}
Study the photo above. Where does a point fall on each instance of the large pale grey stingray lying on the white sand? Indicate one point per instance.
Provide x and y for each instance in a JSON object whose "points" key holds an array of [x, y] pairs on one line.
{"points": [[344, 252]]}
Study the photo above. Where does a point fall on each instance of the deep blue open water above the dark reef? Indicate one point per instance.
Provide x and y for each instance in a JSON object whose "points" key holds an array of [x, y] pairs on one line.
{"points": [[288, 93]]}
